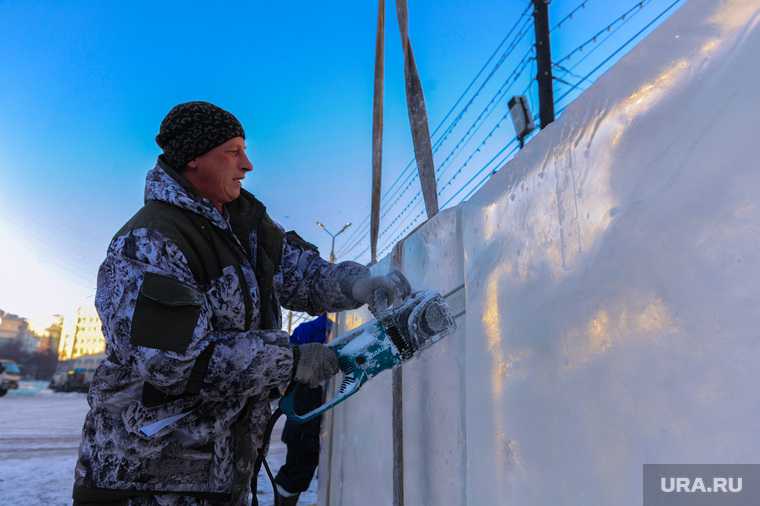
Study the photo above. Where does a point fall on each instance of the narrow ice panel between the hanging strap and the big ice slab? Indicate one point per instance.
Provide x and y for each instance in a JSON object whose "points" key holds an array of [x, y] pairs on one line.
{"points": [[433, 395]]}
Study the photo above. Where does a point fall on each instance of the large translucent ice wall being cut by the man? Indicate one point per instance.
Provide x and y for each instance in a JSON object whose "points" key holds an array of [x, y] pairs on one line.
{"points": [[611, 279]]}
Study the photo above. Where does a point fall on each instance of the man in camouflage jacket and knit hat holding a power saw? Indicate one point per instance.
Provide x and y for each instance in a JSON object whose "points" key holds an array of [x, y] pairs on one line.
{"points": [[189, 295]]}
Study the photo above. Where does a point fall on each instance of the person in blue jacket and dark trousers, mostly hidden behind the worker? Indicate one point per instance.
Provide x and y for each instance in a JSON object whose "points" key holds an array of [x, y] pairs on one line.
{"points": [[302, 440]]}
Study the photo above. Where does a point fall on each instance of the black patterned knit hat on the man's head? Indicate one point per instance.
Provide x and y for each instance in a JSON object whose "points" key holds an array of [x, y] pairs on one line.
{"points": [[194, 128]]}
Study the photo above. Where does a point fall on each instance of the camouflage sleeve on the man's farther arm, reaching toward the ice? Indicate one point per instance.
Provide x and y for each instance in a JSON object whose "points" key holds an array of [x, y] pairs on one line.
{"points": [[306, 282]]}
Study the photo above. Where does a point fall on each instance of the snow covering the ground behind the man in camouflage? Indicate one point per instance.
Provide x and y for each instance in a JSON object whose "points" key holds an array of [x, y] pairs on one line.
{"points": [[39, 438]]}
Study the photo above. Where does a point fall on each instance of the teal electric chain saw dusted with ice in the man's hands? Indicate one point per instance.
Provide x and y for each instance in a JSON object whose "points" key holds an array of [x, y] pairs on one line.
{"points": [[397, 334]]}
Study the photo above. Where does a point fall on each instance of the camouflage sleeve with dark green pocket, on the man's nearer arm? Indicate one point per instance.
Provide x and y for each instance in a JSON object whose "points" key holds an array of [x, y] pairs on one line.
{"points": [[145, 283]]}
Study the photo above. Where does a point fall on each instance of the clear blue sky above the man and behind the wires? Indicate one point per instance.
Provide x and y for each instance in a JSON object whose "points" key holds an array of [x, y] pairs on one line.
{"points": [[84, 86]]}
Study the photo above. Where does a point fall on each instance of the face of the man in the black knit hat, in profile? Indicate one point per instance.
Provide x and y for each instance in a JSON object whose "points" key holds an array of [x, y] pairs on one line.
{"points": [[218, 174]]}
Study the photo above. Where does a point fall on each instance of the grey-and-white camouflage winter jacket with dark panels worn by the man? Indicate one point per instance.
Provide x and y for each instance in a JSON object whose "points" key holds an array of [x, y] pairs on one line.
{"points": [[210, 359]]}
